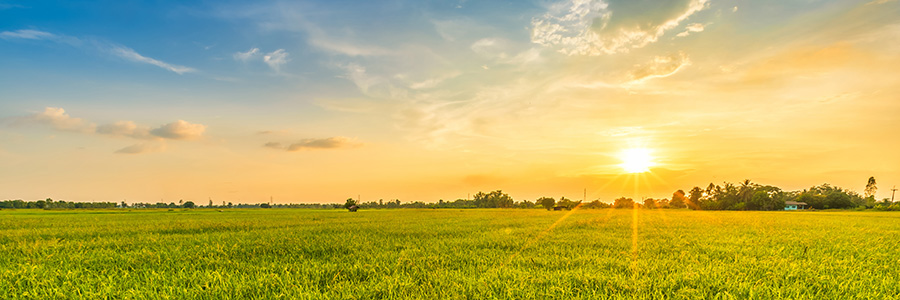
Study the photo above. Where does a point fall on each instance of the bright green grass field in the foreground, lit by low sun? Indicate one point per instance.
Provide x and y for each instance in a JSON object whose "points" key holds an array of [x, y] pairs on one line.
{"points": [[448, 254]]}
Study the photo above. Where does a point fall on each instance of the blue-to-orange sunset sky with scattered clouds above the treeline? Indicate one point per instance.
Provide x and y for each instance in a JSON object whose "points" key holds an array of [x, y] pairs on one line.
{"points": [[320, 101]]}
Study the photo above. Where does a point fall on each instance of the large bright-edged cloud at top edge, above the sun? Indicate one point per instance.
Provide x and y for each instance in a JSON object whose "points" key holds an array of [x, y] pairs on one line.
{"points": [[588, 27]]}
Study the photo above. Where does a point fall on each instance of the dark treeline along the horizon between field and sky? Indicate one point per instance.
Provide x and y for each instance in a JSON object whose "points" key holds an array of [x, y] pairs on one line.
{"points": [[728, 196]]}
